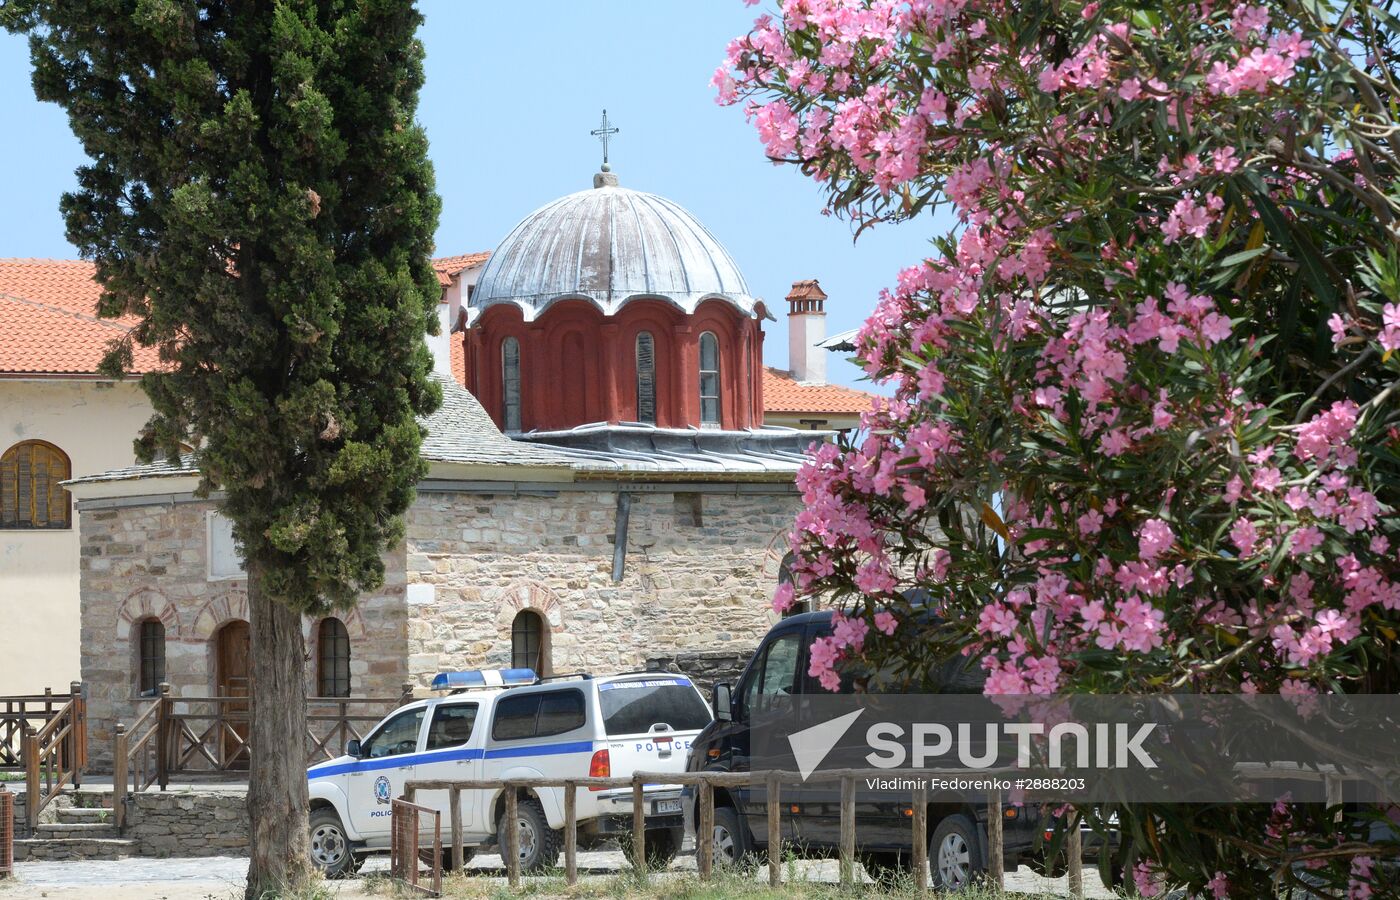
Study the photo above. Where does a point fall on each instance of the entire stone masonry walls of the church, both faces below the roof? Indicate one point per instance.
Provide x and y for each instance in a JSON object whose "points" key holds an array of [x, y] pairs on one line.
{"points": [[699, 576]]}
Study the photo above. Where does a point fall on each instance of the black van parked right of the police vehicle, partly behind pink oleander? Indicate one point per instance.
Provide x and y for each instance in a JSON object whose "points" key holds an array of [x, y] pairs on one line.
{"points": [[811, 821]]}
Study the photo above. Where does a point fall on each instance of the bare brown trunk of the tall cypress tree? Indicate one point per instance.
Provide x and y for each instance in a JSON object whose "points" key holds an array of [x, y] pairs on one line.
{"points": [[281, 862]]}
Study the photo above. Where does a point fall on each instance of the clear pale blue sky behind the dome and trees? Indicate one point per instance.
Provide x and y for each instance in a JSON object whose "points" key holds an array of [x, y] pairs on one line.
{"points": [[509, 103]]}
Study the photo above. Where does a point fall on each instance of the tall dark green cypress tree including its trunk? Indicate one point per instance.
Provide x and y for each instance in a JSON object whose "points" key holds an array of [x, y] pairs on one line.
{"points": [[260, 199]]}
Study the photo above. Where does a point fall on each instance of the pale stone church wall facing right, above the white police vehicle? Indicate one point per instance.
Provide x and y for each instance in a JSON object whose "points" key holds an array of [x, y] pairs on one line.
{"points": [[701, 573]]}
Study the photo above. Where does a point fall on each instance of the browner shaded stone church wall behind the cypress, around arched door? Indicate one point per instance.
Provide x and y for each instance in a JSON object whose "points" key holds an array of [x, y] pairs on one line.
{"points": [[152, 562]]}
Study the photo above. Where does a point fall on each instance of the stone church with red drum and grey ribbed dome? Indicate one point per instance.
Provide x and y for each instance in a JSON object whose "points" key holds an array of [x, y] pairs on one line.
{"points": [[603, 491]]}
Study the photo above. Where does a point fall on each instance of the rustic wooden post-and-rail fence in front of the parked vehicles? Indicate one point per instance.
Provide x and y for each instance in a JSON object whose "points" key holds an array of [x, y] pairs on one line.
{"points": [[706, 785]]}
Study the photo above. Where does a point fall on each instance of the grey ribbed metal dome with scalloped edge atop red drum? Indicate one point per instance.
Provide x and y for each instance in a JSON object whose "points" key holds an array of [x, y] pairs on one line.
{"points": [[610, 246]]}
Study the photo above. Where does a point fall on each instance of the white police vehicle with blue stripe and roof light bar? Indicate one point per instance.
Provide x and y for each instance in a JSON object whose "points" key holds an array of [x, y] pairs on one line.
{"points": [[505, 724]]}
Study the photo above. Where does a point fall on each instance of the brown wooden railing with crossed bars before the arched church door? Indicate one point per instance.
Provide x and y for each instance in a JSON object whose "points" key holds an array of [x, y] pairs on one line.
{"points": [[208, 738]]}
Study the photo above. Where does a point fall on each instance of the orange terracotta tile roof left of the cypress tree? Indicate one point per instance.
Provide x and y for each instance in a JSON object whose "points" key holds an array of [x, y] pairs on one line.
{"points": [[50, 324]]}
